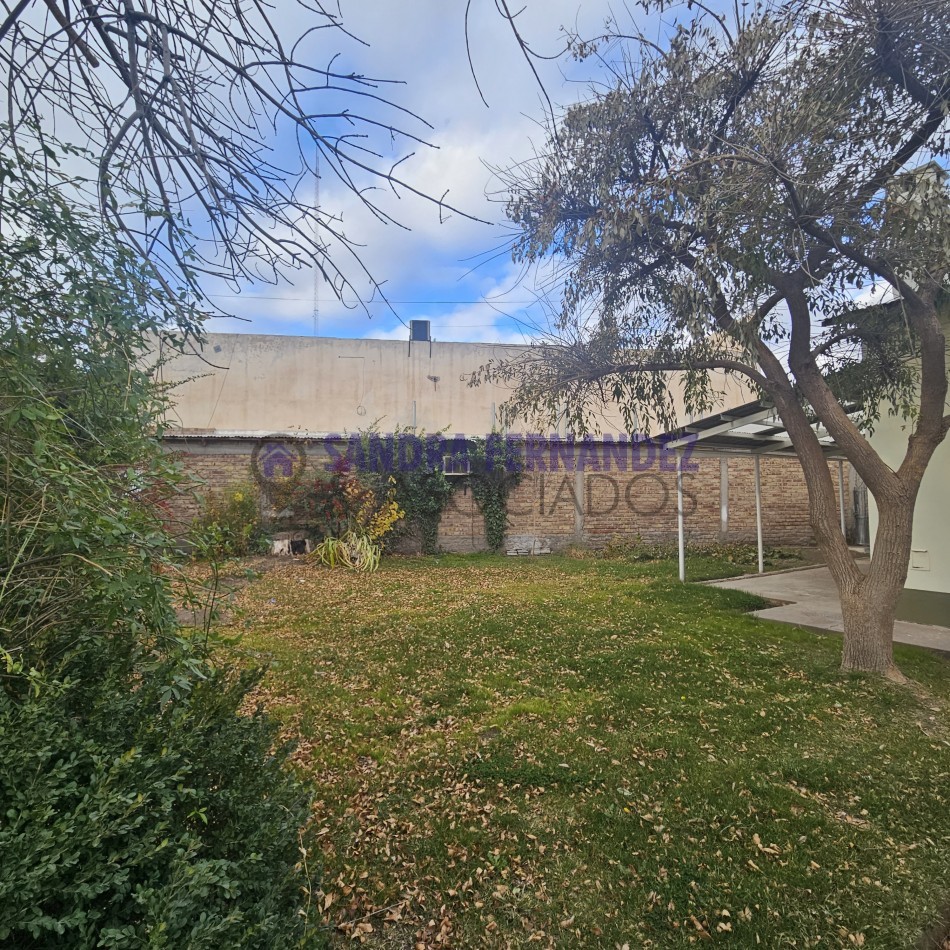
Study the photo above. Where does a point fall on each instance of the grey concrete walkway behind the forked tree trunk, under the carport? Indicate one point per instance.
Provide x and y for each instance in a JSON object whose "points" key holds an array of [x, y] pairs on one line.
{"points": [[809, 598]]}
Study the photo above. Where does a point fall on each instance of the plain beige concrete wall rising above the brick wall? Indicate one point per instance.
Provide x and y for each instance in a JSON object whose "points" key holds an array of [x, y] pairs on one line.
{"points": [[256, 383]]}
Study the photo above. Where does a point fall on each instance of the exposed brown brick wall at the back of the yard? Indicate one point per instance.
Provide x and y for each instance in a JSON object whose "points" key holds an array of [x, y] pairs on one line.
{"points": [[559, 504]]}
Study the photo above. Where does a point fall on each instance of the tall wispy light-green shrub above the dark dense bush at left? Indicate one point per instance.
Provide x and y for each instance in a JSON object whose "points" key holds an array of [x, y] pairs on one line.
{"points": [[81, 470]]}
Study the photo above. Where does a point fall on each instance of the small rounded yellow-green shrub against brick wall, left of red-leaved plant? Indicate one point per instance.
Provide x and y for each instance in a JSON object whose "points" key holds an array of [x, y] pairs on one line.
{"points": [[231, 525]]}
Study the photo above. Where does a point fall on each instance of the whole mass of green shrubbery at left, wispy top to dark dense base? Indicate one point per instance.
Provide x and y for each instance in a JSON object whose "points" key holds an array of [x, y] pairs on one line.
{"points": [[139, 808]]}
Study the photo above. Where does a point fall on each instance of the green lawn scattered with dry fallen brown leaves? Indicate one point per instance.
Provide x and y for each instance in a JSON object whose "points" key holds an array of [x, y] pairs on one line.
{"points": [[582, 752]]}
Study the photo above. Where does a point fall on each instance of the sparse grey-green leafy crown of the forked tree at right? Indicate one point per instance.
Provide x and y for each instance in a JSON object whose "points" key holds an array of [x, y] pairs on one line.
{"points": [[741, 162]]}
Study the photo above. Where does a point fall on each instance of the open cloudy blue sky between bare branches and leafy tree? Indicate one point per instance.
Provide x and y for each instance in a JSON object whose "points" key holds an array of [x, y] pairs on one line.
{"points": [[454, 271]]}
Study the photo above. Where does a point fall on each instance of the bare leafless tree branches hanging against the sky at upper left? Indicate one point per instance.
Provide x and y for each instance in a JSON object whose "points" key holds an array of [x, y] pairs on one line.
{"points": [[193, 104]]}
